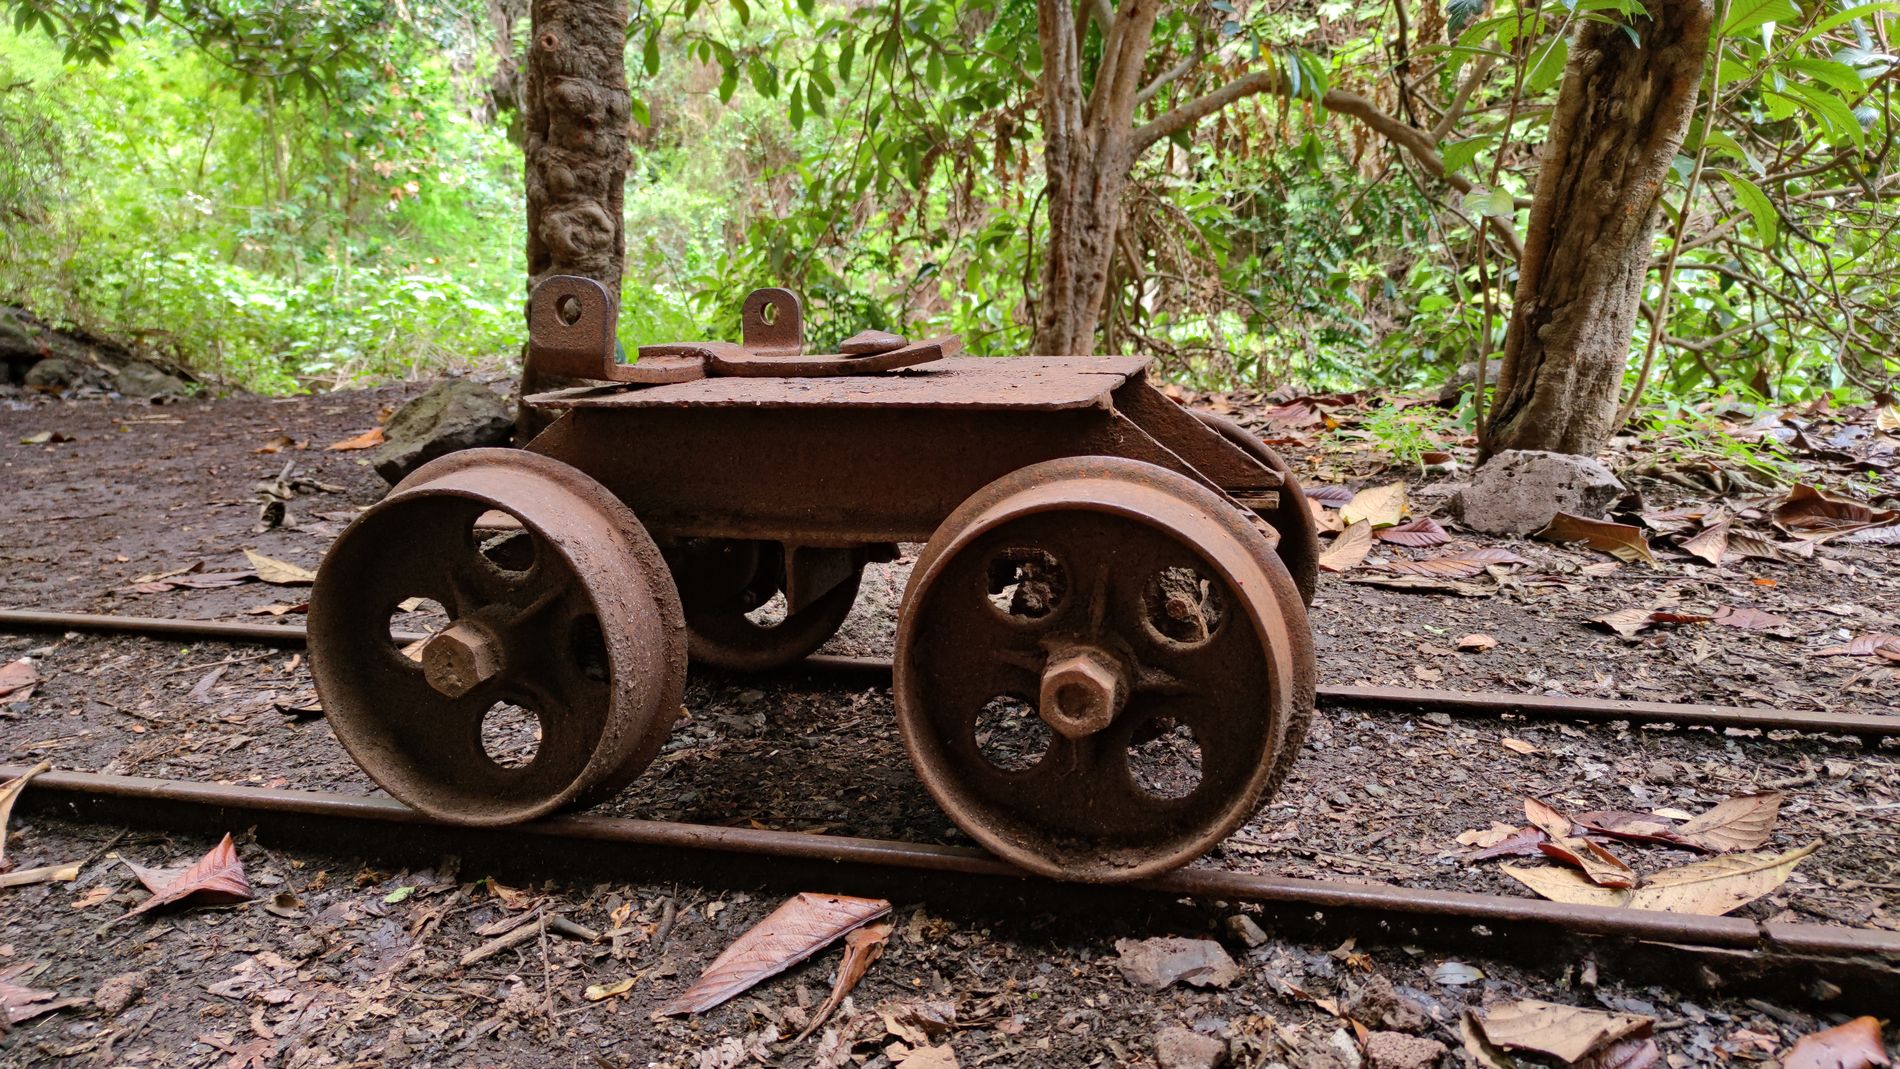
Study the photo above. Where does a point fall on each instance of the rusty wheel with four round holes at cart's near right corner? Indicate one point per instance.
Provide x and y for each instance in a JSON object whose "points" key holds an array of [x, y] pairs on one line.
{"points": [[1097, 667]]}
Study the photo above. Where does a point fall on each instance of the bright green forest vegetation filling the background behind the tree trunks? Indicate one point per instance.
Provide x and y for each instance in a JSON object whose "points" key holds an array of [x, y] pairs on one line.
{"points": [[351, 210]]}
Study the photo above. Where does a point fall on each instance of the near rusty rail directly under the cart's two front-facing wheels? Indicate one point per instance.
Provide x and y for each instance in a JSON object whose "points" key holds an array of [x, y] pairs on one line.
{"points": [[66, 791]]}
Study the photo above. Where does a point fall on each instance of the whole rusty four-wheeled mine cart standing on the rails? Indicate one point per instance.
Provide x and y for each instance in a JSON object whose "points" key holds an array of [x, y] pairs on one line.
{"points": [[1103, 572]]}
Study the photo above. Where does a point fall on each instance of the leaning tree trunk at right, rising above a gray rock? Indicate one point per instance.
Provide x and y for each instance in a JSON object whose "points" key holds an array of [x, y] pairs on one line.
{"points": [[1614, 136]]}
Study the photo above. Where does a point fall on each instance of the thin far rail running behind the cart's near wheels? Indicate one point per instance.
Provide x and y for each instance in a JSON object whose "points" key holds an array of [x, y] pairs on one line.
{"points": [[1409, 700]]}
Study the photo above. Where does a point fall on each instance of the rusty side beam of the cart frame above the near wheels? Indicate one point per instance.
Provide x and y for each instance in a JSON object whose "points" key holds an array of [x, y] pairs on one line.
{"points": [[835, 476]]}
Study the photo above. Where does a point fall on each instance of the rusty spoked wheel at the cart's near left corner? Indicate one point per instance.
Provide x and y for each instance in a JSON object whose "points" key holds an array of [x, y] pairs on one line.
{"points": [[561, 667]]}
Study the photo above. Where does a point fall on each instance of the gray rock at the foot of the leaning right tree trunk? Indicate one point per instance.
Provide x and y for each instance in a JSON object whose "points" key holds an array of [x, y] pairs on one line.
{"points": [[1519, 491]]}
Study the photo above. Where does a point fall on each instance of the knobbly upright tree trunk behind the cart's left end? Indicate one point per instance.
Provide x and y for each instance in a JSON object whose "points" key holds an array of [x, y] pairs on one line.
{"points": [[577, 153]]}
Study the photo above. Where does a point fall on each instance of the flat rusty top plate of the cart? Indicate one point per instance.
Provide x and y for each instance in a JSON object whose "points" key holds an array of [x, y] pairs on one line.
{"points": [[959, 383]]}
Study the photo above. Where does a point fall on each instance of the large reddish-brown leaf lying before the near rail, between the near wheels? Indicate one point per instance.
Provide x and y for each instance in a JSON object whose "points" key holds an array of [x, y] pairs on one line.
{"points": [[805, 926]]}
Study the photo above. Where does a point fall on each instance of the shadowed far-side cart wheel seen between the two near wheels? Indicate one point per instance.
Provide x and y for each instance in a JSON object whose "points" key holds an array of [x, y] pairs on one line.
{"points": [[729, 588]]}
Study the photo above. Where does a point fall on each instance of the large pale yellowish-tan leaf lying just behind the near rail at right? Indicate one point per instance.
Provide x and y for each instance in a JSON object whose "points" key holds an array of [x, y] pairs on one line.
{"points": [[1713, 888]]}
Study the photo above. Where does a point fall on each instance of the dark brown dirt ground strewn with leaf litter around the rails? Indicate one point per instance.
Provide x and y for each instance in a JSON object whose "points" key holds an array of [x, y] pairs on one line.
{"points": [[335, 964]]}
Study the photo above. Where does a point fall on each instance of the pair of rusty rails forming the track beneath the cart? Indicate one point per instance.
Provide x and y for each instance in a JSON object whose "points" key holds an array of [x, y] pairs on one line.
{"points": [[1857, 966]]}
